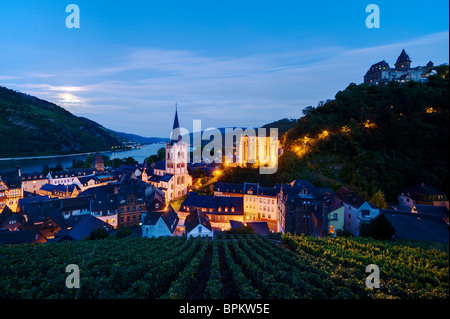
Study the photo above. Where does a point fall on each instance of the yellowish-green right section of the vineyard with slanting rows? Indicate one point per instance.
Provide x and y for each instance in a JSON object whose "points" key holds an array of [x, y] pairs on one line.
{"points": [[405, 272]]}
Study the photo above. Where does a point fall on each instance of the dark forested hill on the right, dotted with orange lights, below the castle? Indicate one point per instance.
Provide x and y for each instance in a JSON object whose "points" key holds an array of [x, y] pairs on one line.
{"points": [[370, 138]]}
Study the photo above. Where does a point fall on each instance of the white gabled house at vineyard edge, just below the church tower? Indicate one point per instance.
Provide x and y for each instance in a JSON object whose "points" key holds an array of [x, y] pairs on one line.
{"points": [[159, 223]]}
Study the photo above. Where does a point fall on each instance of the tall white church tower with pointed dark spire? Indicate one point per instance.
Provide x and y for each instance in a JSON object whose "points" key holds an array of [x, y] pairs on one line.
{"points": [[176, 162]]}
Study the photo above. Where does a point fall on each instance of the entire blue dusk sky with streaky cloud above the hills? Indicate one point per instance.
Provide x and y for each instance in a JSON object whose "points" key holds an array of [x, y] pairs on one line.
{"points": [[227, 63]]}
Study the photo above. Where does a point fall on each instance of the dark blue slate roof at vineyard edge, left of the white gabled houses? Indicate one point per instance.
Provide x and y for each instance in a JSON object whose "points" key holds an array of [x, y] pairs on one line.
{"points": [[82, 229]]}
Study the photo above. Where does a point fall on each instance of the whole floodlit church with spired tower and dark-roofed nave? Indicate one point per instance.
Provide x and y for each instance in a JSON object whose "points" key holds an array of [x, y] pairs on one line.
{"points": [[171, 175]]}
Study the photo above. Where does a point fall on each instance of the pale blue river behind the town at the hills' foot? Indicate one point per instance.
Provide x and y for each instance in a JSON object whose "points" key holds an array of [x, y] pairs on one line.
{"points": [[33, 164]]}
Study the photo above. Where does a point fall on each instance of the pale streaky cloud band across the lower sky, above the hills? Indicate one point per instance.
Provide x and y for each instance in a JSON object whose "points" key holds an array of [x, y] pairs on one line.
{"points": [[138, 93]]}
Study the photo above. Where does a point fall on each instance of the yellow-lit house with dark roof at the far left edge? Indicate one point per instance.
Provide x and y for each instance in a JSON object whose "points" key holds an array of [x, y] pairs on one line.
{"points": [[10, 189]]}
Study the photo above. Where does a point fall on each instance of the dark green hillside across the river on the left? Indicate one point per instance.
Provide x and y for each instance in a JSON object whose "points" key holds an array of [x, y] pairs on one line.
{"points": [[31, 126]]}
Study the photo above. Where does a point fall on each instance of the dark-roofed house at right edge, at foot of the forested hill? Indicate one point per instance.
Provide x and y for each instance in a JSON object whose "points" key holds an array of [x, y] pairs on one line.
{"points": [[422, 194]]}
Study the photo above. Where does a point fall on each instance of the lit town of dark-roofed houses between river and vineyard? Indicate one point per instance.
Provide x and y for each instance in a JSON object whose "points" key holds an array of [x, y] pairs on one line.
{"points": [[159, 199]]}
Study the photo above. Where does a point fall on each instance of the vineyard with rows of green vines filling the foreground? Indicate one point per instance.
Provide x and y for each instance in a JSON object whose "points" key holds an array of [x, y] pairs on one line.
{"points": [[245, 267]]}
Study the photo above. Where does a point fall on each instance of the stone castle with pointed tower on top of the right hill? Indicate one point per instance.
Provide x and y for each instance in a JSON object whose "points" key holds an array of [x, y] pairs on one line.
{"points": [[380, 73]]}
